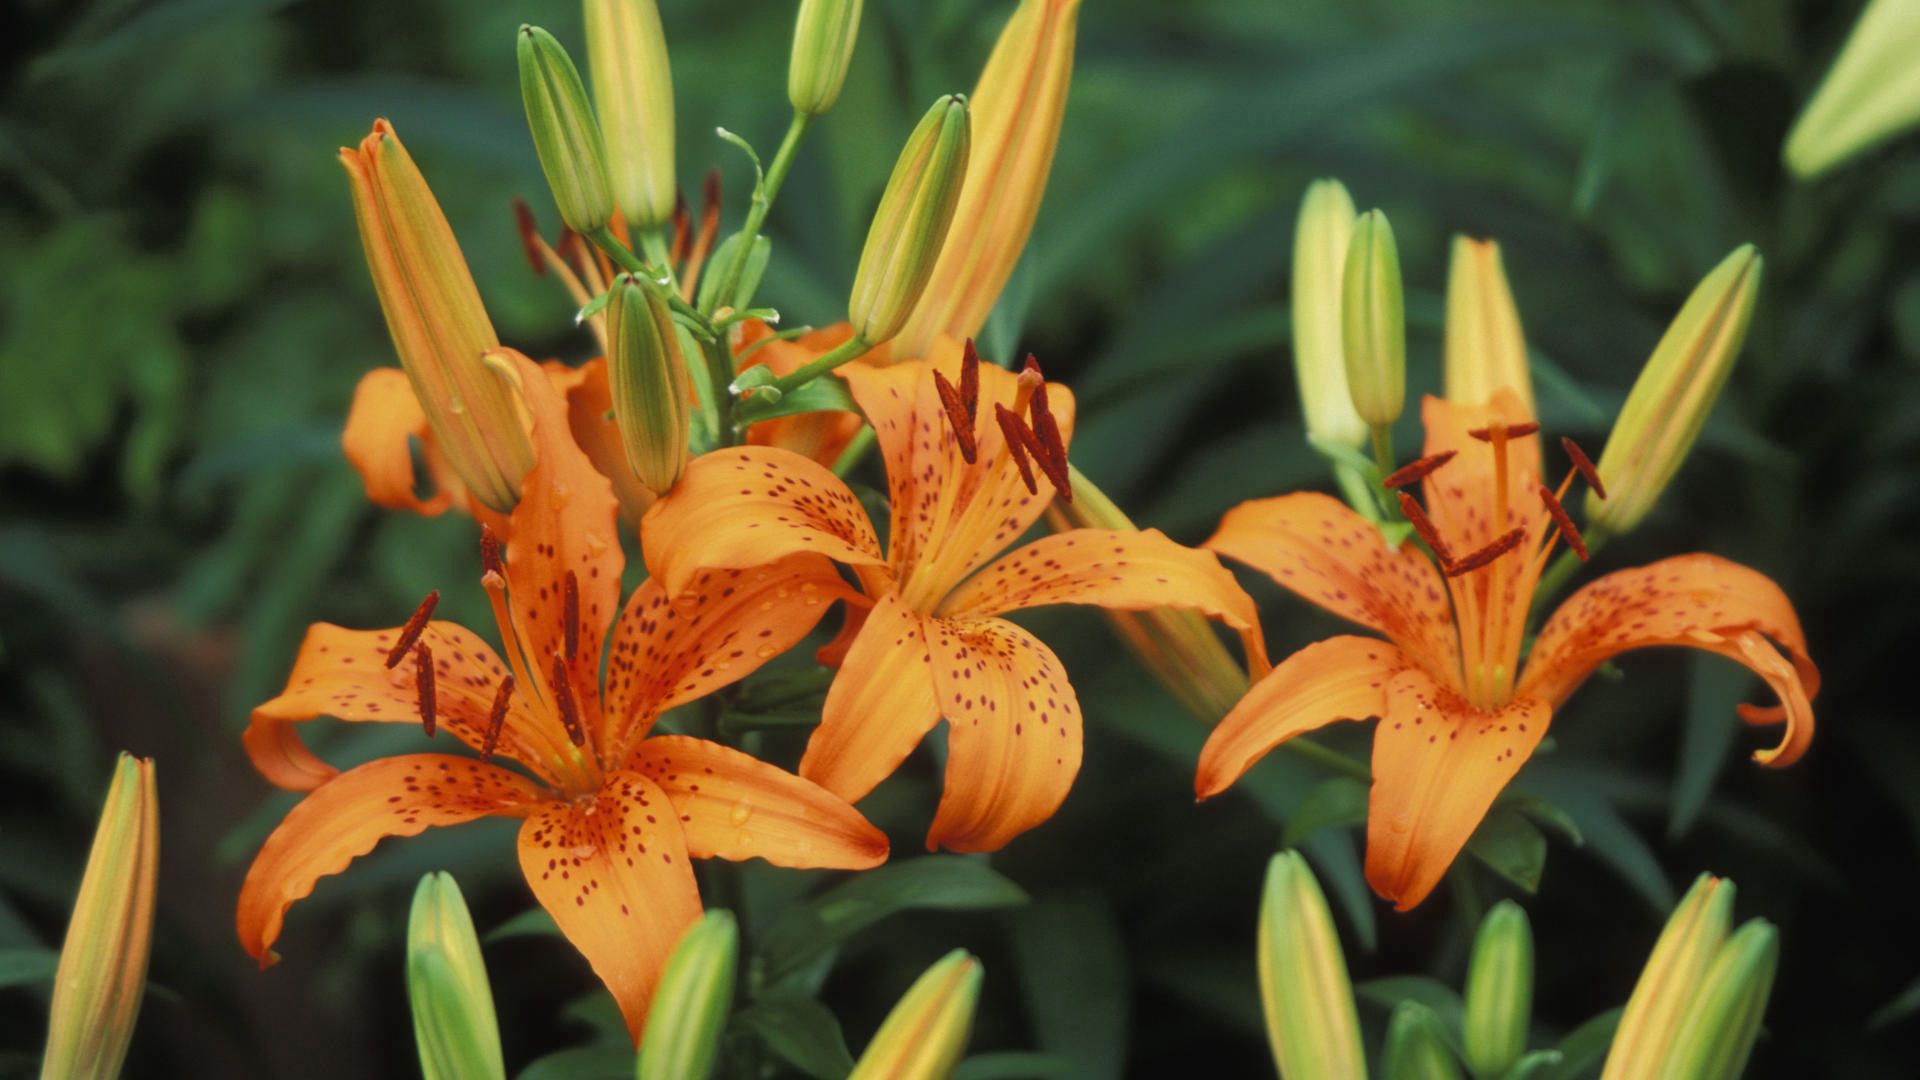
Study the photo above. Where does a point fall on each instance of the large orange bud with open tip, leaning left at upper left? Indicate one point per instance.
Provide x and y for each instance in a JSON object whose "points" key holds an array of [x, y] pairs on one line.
{"points": [[441, 330]]}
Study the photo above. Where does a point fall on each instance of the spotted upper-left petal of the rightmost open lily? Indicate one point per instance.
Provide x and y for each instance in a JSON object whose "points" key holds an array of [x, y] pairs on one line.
{"points": [[1318, 549]]}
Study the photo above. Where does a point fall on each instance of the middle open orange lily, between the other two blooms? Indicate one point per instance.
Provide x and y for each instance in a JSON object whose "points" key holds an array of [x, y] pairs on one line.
{"points": [[963, 447]]}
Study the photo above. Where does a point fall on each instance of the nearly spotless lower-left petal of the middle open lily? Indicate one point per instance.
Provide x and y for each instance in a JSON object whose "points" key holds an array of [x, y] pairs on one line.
{"points": [[878, 708]]}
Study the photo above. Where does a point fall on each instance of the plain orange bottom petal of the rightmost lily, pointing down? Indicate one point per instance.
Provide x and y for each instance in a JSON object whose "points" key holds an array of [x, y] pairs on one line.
{"points": [[1437, 768]]}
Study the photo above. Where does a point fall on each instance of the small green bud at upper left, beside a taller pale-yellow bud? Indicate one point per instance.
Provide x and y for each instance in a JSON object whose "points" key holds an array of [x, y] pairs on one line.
{"points": [[565, 134]]}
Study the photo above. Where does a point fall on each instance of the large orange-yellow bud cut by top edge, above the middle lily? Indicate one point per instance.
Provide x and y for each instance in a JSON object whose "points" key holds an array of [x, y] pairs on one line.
{"points": [[1019, 107]]}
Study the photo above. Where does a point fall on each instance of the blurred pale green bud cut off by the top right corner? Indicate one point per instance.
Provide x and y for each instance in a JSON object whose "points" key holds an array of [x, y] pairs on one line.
{"points": [[1871, 95]]}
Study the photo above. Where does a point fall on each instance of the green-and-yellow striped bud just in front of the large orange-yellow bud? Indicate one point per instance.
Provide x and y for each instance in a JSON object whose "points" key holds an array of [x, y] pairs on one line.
{"points": [[911, 222]]}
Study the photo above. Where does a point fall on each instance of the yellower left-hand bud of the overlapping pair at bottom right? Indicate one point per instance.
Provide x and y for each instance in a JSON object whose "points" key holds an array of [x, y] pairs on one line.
{"points": [[1671, 981]]}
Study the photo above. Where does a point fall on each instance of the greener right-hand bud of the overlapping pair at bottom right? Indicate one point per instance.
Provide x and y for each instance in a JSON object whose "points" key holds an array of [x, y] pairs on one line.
{"points": [[1725, 1018]]}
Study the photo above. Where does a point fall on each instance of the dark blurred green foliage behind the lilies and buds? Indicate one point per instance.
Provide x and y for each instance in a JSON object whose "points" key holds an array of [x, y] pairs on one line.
{"points": [[183, 314]]}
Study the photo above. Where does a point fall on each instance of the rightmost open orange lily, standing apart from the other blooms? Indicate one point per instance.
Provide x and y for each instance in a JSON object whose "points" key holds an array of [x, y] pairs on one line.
{"points": [[1458, 710]]}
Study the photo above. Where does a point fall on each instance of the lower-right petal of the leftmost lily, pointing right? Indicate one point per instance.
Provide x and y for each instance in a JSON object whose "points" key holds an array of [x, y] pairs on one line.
{"points": [[734, 806]]}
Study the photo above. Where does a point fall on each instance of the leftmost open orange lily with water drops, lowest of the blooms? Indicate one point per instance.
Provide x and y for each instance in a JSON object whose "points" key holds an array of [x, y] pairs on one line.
{"points": [[612, 812]]}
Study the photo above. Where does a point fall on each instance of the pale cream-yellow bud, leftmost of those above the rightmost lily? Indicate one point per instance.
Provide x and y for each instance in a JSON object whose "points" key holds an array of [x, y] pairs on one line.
{"points": [[1322, 235]]}
